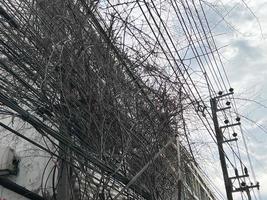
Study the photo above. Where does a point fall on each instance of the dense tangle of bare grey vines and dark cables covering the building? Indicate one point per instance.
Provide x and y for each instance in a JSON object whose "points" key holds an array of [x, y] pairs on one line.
{"points": [[88, 77]]}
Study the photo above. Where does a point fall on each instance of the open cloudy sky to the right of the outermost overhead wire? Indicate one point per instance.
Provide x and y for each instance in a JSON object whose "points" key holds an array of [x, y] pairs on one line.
{"points": [[244, 40]]}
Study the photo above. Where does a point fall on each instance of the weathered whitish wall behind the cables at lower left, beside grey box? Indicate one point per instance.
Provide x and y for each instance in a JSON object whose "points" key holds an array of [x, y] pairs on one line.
{"points": [[35, 165]]}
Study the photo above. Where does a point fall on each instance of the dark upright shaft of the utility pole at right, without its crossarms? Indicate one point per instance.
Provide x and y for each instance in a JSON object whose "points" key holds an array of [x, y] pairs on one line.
{"points": [[219, 138]]}
